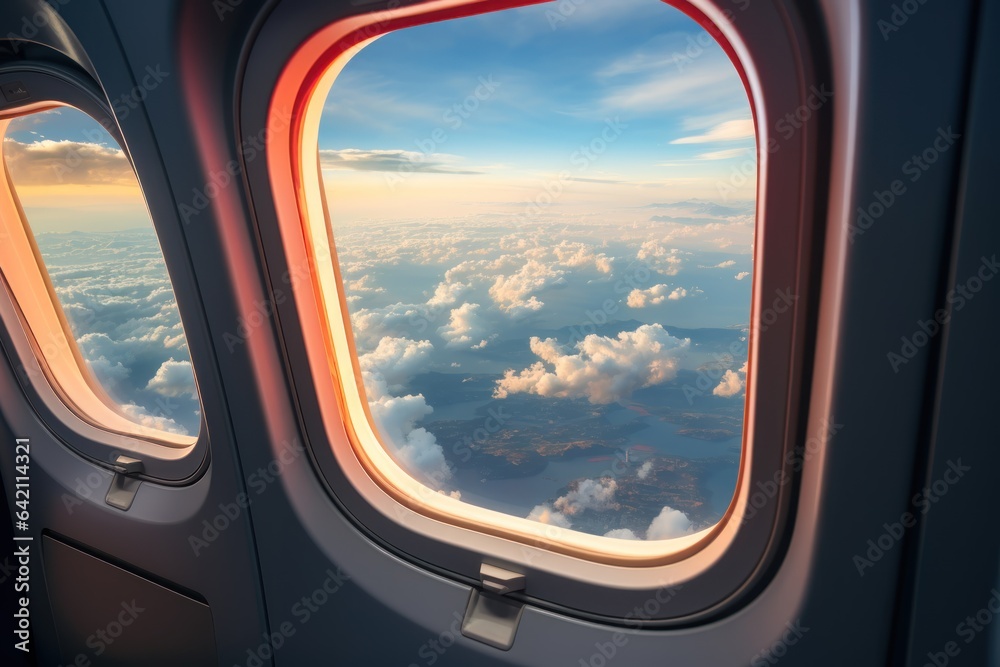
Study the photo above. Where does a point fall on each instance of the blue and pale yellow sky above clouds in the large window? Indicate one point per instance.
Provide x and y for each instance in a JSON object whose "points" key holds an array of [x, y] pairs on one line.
{"points": [[403, 118]]}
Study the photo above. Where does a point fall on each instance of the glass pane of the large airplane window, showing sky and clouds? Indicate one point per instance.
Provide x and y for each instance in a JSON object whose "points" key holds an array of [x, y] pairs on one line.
{"points": [[544, 225]]}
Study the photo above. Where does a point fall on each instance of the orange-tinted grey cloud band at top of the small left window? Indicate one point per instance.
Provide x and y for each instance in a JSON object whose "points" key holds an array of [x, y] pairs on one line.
{"points": [[51, 163]]}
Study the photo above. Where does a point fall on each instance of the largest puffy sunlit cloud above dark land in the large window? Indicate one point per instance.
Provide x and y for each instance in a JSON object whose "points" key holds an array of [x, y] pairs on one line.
{"points": [[603, 370]]}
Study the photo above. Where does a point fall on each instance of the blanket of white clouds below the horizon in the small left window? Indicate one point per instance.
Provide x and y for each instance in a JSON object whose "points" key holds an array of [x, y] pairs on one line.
{"points": [[116, 295]]}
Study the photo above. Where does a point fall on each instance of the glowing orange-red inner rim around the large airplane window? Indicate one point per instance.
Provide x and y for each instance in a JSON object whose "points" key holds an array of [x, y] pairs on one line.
{"points": [[299, 196]]}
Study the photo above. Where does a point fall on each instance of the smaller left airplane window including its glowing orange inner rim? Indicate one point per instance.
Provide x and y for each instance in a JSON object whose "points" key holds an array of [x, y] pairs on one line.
{"points": [[114, 314]]}
